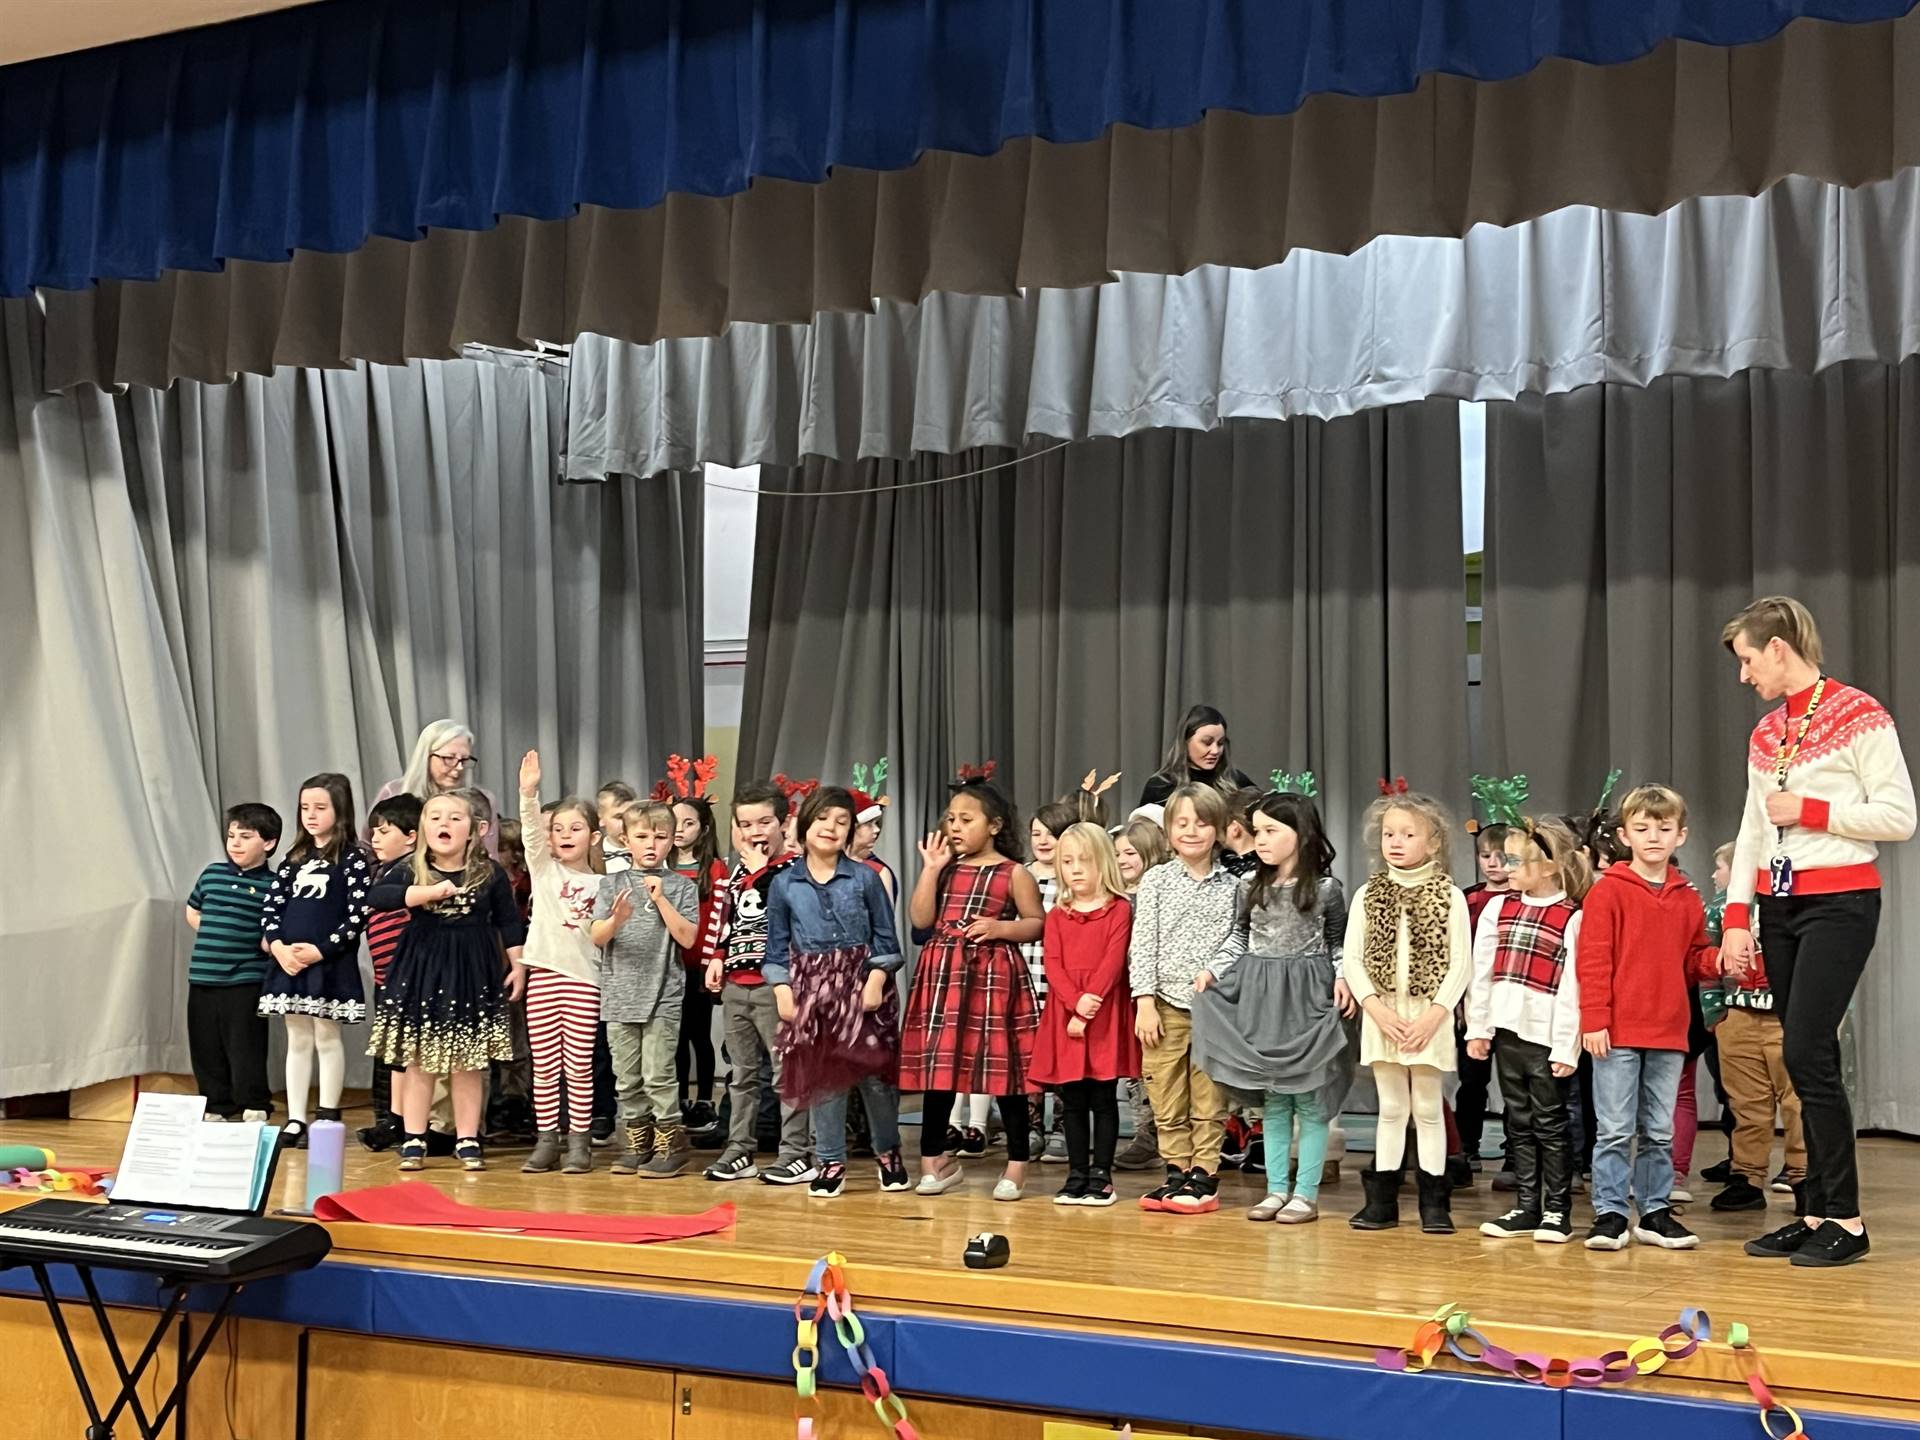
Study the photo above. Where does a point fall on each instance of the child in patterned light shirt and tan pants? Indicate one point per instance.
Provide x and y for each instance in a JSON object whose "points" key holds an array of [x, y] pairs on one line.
{"points": [[1182, 917]]}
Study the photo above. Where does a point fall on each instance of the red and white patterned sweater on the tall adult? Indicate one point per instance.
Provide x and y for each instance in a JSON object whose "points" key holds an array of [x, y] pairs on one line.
{"points": [[1856, 788]]}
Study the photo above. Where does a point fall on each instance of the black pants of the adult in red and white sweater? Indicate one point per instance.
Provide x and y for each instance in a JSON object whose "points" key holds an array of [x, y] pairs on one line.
{"points": [[1817, 948]]}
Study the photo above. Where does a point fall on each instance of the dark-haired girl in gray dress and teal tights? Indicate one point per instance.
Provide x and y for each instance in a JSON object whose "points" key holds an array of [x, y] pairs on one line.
{"points": [[1270, 1011]]}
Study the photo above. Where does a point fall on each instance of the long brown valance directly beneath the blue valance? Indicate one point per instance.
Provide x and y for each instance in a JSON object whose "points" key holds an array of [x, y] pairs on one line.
{"points": [[1827, 101]]}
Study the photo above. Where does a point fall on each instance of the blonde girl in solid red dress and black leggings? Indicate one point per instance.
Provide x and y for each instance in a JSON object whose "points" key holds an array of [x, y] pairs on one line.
{"points": [[1088, 1042]]}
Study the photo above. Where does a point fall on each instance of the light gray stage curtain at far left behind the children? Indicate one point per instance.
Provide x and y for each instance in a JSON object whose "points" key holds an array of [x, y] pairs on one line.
{"points": [[212, 592]]}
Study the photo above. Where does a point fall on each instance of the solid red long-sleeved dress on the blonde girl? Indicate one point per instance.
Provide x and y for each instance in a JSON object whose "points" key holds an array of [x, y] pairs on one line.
{"points": [[1088, 955]]}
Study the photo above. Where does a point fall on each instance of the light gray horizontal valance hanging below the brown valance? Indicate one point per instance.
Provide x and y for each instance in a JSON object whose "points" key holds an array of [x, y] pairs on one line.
{"points": [[1800, 277]]}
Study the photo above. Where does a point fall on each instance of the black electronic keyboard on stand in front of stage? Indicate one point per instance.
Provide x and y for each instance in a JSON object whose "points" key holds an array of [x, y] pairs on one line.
{"points": [[183, 1245]]}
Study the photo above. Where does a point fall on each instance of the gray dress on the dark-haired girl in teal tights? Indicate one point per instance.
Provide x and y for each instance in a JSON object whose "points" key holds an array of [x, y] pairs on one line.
{"points": [[1270, 1022]]}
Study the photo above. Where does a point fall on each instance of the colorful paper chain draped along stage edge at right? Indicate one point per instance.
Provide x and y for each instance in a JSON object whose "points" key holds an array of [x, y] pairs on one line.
{"points": [[1452, 1330]]}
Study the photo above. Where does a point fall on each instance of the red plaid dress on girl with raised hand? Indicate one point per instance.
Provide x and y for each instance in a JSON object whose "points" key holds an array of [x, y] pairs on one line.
{"points": [[972, 1013]]}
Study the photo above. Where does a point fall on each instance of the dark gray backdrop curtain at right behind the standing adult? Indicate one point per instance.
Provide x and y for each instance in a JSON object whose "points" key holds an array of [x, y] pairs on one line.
{"points": [[1625, 527]]}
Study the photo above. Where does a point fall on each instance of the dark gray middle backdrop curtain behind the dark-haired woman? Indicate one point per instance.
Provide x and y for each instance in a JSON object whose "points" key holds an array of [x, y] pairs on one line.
{"points": [[1059, 615]]}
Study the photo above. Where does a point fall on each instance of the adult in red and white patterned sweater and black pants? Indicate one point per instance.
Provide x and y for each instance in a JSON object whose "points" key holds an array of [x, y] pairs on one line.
{"points": [[1827, 786]]}
